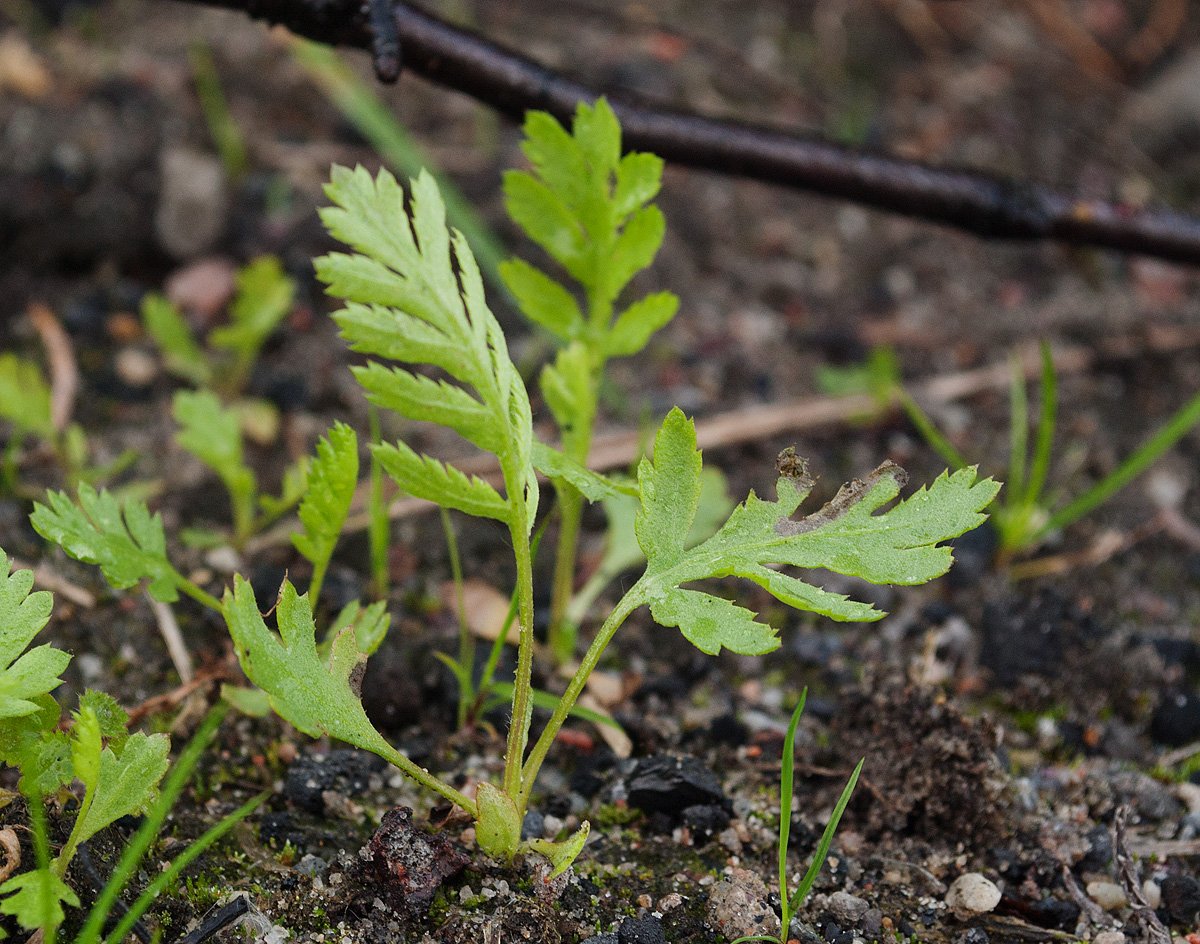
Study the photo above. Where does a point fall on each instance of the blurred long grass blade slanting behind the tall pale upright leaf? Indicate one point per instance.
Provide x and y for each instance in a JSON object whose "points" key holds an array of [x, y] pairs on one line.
{"points": [[374, 121]]}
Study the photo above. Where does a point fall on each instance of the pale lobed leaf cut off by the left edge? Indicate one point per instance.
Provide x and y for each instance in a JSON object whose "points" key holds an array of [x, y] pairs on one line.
{"points": [[25, 676]]}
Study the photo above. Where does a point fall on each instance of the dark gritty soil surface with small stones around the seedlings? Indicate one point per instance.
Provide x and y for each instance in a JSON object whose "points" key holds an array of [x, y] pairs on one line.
{"points": [[1005, 721]]}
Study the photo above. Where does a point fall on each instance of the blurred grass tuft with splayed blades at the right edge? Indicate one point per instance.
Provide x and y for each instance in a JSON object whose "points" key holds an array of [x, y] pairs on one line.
{"points": [[1024, 516]]}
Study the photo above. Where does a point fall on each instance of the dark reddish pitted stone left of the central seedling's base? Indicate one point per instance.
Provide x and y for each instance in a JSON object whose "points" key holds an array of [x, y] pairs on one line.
{"points": [[412, 862]]}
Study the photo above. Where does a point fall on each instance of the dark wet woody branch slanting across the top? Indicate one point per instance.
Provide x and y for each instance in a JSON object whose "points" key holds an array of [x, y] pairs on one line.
{"points": [[988, 207]]}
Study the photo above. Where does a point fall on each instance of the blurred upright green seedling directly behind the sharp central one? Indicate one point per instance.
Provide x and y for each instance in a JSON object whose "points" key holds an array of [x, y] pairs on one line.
{"points": [[590, 208]]}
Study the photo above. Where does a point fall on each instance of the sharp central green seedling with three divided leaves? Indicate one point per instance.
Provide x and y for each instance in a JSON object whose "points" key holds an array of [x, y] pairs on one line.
{"points": [[413, 296]]}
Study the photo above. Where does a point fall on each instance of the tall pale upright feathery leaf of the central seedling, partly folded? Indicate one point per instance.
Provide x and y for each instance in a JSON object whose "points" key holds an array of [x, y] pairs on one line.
{"points": [[416, 297]]}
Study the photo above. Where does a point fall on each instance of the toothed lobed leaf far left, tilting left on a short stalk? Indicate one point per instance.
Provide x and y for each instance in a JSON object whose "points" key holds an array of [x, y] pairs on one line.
{"points": [[129, 548]]}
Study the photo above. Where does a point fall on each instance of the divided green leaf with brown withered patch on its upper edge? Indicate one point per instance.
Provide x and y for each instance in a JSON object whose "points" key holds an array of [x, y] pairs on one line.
{"points": [[847, 537]]}
